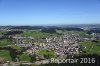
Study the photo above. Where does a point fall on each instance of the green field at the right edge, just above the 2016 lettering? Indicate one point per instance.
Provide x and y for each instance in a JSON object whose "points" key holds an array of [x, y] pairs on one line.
{"points": [[91, 47]]}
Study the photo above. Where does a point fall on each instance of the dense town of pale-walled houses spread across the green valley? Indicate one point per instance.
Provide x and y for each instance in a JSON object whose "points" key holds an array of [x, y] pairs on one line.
{"points": [[68, 44]]}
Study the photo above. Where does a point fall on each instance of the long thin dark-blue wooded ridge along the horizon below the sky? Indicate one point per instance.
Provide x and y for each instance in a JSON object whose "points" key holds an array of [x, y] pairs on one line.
{"points": [[46, 27]]}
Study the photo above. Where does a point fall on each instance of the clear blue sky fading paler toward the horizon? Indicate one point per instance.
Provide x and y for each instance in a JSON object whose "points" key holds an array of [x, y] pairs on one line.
{"points": [[49, 12]]}
